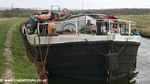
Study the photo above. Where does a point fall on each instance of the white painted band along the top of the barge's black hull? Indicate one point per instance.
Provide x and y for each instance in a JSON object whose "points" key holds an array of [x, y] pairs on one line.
{"points": [[65, 38]]}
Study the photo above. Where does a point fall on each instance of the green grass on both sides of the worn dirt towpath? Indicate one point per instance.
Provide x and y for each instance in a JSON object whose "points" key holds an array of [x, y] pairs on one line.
{"points": [[22, 68]]}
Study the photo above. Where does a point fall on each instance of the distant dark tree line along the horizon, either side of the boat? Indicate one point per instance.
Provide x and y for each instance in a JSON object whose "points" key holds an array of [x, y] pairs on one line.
{"points": [[27, 12]]}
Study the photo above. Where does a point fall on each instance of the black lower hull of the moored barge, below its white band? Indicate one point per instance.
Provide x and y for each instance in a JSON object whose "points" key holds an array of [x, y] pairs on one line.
{"points": [[90, 60]]}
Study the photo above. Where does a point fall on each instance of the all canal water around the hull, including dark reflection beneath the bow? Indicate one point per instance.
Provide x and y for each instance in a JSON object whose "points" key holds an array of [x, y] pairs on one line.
{"points": [[142, 71]]}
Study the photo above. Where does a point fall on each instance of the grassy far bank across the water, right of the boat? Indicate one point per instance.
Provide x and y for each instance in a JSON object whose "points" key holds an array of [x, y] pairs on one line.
{"points": [[143, 23]]}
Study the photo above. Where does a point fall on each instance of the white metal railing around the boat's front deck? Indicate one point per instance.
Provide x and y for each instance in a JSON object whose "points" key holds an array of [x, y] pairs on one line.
{"points": [[77, 21]]}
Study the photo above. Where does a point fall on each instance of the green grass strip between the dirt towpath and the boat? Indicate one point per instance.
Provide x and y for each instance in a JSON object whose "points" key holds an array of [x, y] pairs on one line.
{"points": [[22, 67]]}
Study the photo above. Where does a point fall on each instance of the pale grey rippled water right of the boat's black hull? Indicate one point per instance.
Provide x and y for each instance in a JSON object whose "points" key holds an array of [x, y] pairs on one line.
{"points": [[143, 63]]}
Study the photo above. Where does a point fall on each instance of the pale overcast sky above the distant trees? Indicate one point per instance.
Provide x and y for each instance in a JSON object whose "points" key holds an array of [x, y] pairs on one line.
{"points": [[77, 4]]}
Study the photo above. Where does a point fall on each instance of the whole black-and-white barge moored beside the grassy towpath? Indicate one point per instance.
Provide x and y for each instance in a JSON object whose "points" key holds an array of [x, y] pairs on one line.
{"points": [[83, 46]]}
